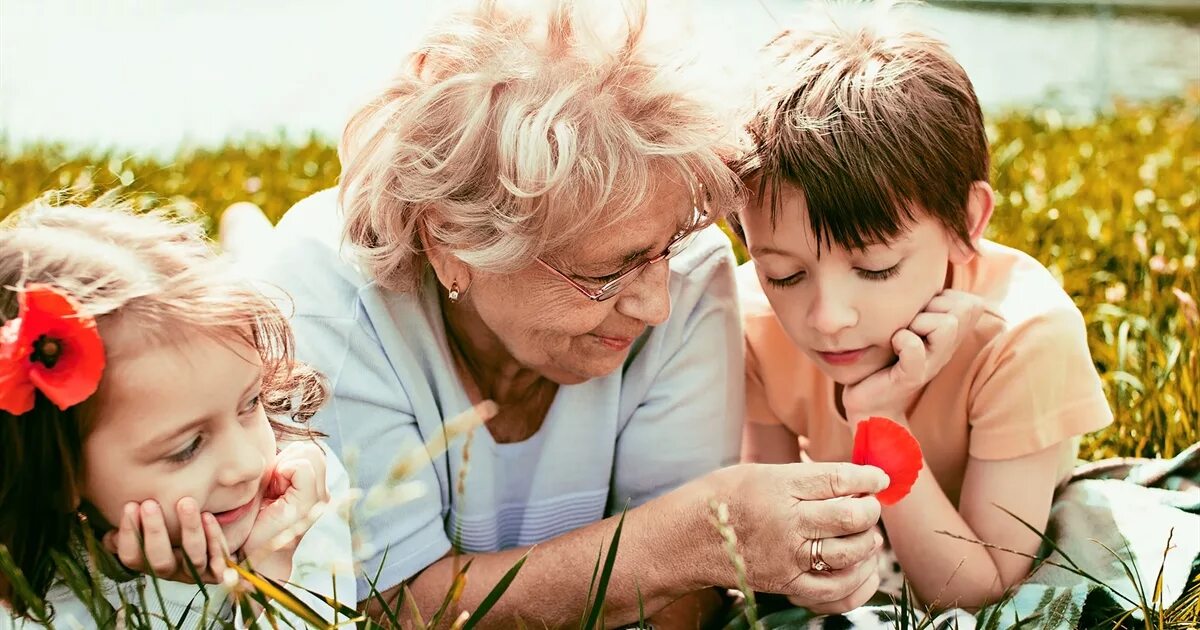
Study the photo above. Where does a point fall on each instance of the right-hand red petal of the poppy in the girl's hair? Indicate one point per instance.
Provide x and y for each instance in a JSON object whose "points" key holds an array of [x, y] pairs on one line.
{"points": [[76, 376]]}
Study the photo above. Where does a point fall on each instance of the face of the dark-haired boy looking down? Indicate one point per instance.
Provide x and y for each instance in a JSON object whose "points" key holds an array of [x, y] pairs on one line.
{"points": [[843, 308]]}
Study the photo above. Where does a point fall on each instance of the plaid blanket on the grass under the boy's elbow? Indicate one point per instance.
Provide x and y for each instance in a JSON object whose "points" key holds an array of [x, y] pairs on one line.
{"points": [[1125, 523]]}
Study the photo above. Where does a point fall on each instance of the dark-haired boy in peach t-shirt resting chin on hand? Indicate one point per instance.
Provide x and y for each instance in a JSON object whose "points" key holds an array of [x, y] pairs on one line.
{"points": [[872, 292]]}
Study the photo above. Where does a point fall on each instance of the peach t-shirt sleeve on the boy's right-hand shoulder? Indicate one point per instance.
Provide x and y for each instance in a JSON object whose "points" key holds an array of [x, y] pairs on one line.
{"points": [[1039, 387]]}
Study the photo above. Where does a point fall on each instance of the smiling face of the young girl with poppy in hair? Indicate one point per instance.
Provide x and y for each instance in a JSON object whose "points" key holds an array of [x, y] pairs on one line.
{"points": [[181, 421]]}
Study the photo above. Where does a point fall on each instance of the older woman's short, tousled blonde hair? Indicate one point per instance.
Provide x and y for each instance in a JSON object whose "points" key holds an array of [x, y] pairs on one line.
{"points": [[507, 137]]}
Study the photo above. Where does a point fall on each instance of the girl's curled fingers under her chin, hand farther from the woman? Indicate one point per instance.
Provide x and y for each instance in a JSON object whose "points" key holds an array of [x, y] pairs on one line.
{"points": [[143, 527]]}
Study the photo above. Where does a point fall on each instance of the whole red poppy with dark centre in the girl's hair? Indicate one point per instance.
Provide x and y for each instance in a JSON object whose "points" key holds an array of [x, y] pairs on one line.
{"points": [[49, 347]]}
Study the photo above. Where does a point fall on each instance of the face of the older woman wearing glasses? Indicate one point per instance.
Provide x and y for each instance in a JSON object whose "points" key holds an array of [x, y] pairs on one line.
{"points": [[548, 326]]}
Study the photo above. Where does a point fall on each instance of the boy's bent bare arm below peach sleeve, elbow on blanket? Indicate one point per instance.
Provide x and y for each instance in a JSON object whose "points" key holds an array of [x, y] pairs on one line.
{"points": [[927, 531]]}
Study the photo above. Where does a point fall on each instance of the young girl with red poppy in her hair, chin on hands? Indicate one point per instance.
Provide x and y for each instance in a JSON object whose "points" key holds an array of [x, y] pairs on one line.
{"points": [[146, 394]]}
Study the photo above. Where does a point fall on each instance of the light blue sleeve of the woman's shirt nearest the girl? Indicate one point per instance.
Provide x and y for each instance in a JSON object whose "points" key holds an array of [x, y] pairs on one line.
{"points": [[371, 425]]}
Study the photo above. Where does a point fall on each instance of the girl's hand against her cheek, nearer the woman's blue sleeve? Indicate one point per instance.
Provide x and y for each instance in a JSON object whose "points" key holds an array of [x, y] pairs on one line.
{"points": [[293, 500]]}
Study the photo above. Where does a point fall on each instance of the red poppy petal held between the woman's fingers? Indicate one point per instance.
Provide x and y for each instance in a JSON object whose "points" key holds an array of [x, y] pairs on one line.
{"points": [[890, 447]]}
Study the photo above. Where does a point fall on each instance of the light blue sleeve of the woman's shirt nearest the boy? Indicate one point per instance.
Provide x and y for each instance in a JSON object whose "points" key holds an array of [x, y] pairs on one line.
{"points": [[689, 421]]}
